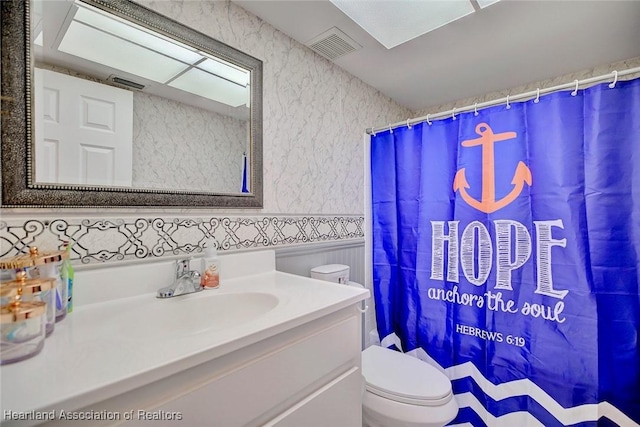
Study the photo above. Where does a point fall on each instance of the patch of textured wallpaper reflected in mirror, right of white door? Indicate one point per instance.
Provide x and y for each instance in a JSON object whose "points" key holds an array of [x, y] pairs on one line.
{"points": [[178, 146]]}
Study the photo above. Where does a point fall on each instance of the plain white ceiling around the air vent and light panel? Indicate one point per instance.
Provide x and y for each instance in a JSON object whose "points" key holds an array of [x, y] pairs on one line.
{"points": [[508, 44]]}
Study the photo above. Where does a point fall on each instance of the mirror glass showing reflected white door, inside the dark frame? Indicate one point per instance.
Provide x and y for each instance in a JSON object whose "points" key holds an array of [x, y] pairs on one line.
{"points": [[117, 104]]}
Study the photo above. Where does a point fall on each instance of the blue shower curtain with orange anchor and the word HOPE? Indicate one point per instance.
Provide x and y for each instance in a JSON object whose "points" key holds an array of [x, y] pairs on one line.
{"points": [[506, 250]]}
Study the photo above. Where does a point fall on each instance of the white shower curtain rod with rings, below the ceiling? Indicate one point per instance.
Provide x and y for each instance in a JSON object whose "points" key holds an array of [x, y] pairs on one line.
{"points": [[613, 76]]}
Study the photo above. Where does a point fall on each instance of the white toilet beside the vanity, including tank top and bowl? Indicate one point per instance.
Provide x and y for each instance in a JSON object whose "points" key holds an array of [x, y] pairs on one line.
{"points": [[399, 390]]}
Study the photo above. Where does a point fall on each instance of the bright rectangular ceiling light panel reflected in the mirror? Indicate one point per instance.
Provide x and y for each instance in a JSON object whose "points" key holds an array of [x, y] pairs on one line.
{"points": [[122, 45]]}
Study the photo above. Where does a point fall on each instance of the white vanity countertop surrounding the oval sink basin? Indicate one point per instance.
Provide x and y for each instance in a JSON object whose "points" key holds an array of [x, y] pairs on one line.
{"points": [[95, 353]]}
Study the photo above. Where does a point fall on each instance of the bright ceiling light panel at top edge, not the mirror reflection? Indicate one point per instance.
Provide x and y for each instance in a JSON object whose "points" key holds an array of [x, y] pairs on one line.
{"points": [[393, 23]]}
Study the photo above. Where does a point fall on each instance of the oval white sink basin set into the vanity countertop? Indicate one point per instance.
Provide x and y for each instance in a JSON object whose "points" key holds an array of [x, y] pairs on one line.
{"points": [[195, 313]]}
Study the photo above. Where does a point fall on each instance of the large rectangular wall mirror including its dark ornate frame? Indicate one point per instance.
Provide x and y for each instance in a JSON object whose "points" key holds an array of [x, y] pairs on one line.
{"points": [[107, 103]]}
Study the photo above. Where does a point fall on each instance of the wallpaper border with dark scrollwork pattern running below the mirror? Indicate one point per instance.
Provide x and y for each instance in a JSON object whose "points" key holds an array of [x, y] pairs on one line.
{"points": [[101, 240]]}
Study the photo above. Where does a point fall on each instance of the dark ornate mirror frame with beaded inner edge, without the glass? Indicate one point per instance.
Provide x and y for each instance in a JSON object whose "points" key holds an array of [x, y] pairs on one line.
{"points": [[18, 187]]}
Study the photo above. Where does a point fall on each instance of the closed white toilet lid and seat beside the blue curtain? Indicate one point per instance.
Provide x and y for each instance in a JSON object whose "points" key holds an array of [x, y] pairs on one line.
{"points": [[404, 378]]}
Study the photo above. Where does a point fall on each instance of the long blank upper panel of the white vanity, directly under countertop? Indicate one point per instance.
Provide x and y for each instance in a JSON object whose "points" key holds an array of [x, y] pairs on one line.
{"points": [[278, 379]]}
